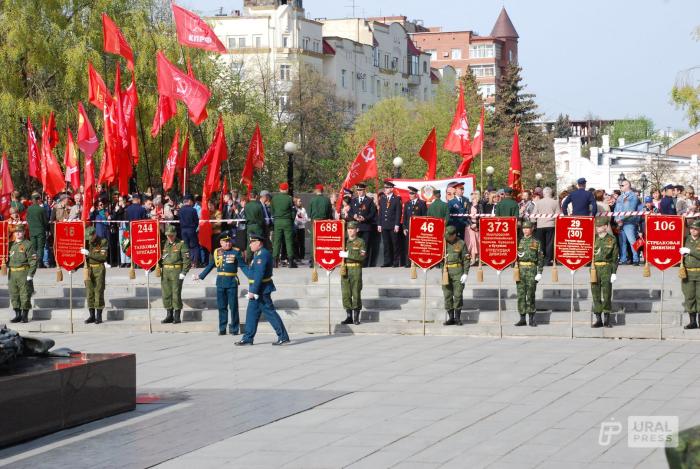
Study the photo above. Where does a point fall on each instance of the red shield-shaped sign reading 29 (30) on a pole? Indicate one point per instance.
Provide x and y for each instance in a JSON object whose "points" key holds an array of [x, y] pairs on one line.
{"points": [[573, 241]]}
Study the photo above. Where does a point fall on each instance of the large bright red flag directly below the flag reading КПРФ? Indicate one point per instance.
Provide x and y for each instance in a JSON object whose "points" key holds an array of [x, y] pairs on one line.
{"points": [[176, 84]]}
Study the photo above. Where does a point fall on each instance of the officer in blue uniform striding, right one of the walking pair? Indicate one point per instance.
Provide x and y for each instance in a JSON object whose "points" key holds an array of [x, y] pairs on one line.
{"points": [[260, 288]]}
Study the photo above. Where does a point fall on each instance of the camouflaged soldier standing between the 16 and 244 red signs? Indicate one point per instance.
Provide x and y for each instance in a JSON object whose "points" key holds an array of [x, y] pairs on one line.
{"points": [[95, 257]]}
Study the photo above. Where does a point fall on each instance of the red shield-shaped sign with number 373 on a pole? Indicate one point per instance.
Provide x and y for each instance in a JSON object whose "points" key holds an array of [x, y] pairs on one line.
{"points": [[498, 237]]}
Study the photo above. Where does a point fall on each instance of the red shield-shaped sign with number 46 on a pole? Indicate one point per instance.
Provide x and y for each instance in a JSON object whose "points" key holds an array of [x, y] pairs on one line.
{"points": [[426, 241]]}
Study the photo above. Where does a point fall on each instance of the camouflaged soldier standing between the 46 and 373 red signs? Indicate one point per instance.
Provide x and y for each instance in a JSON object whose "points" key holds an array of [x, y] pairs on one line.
{"points": [[457, 261]]}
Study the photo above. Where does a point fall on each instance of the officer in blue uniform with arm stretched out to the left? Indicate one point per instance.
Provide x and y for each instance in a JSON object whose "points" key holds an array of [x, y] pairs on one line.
{"points": [[225, 259]]}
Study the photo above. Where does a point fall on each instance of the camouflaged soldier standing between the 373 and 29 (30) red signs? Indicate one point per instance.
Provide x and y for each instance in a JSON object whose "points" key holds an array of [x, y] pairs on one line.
{"points": [[530, 265]]}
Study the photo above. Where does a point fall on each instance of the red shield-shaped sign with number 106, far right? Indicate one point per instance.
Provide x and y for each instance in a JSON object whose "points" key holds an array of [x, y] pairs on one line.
{"points": [[664, 240]]}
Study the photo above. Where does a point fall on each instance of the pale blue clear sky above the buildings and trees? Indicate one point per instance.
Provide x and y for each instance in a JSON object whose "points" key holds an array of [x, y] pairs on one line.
{"points": [[607, 58]]}
